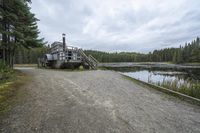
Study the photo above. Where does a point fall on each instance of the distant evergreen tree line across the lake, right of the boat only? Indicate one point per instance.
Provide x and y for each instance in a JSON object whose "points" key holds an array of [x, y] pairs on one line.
{"points": [[190, 52]]}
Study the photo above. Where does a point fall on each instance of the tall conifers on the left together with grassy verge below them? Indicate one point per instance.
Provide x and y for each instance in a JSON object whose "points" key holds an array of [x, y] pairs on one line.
{"points": [[18, 32]]}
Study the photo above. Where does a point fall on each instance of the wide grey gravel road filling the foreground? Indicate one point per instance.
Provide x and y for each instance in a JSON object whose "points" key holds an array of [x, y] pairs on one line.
{"points": [[96, 102]]}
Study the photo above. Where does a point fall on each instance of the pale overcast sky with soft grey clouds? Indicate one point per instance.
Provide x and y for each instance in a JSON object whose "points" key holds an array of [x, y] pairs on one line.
{"points": [[119, 25]]}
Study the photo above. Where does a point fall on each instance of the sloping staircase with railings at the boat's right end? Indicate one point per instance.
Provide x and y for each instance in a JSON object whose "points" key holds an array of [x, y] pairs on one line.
{"points": [[88, 60]]}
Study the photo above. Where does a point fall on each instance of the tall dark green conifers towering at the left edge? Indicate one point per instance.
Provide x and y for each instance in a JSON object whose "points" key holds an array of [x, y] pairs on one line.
{"points": [[18, 29]]}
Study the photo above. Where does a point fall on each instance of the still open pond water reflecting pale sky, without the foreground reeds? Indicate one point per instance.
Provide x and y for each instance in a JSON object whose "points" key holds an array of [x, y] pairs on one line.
{"points": [[158, 74]]}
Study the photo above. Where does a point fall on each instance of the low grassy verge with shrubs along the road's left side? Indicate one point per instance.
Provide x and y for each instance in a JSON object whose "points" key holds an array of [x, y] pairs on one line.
{"points": [[10, 80]]}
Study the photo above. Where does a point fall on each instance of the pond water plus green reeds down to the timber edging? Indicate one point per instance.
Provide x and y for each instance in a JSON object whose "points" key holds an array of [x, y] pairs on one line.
{"points": [[184, 81]]}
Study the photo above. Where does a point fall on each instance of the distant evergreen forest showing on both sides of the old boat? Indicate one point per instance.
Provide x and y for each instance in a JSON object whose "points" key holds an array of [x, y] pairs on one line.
{"points": [[188, 53]]}
